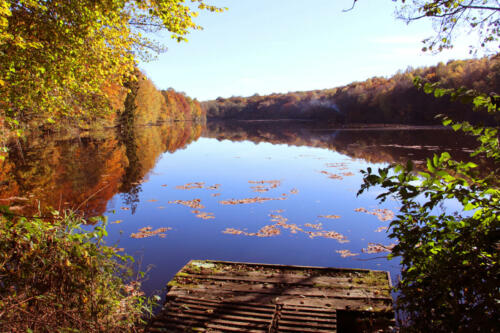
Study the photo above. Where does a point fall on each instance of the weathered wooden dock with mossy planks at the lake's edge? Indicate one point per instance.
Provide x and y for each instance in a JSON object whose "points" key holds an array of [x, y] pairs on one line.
{"points": [[218, 296]]}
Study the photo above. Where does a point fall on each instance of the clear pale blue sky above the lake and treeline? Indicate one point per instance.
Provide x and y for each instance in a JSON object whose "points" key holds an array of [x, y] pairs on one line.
{"points": [[267, 46]]}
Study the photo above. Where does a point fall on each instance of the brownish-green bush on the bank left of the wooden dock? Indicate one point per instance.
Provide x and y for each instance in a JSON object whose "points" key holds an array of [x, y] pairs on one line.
{"points": [[57, 277]]}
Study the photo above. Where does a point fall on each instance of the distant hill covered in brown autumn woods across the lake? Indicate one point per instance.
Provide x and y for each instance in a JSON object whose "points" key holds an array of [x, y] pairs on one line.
{"points": [[391, 100]]}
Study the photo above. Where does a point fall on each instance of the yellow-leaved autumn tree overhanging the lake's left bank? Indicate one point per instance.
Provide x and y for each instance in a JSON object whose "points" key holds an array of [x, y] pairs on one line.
{"points": [[57, 57]]}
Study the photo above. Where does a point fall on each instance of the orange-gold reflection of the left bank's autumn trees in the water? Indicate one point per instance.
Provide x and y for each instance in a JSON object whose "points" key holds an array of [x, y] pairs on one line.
{"points": [[85, 171]]}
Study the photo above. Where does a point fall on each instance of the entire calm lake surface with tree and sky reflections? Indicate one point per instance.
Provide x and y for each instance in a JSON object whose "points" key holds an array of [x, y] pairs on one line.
{"points": [[305, 177]]}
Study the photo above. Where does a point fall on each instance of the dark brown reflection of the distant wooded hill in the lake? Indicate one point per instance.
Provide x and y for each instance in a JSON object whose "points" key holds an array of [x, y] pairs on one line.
{"points": [[376, 145]]}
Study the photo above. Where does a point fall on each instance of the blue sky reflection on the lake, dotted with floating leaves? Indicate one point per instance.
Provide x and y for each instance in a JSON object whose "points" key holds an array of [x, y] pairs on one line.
{"points": [[233, 165]]}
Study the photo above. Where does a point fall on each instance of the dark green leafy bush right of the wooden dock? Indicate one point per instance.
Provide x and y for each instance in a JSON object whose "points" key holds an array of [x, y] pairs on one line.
{"points": [[450, 259]]}
